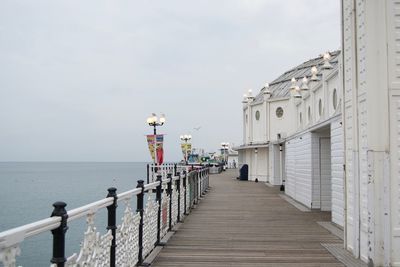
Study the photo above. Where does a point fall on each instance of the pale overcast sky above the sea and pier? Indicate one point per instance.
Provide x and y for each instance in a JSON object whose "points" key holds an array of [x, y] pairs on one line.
{"points": [[79, 78]]}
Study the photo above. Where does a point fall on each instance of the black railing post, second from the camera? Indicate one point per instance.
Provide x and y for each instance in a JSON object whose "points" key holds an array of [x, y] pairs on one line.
{"points": [[112, 223]]}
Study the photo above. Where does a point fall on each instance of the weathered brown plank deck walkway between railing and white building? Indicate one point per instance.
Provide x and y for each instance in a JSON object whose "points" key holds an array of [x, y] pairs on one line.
{"points": [[242, 223]]}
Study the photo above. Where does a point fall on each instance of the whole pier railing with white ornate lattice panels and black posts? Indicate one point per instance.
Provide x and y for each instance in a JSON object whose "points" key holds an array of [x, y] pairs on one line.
{"points": [[120, 245]]}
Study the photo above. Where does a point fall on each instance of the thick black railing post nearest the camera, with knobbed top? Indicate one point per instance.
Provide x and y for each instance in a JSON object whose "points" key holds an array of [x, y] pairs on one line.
{"points": [[59, 234]]}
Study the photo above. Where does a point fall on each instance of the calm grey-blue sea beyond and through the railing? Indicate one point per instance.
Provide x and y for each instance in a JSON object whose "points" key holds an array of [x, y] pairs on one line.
{"points": [[28, 190]]}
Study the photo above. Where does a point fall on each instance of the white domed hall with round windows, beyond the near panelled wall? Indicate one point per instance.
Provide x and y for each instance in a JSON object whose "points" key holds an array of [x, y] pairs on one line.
{"points": [[293, 135]]}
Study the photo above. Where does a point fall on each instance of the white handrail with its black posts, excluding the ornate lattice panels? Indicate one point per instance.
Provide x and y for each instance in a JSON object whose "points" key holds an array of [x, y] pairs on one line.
{"points": [[13, 237]]}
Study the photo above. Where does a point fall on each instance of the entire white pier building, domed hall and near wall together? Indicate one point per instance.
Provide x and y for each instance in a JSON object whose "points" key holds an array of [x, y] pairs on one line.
{"points": [[334, 138]]}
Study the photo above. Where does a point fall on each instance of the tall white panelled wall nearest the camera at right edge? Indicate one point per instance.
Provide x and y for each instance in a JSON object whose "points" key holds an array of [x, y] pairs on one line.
{"points": [[371, 86]]}
